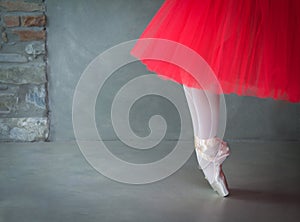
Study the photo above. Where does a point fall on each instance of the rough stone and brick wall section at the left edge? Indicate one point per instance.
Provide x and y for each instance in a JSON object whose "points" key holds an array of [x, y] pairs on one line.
{"points": [[23, 69]]}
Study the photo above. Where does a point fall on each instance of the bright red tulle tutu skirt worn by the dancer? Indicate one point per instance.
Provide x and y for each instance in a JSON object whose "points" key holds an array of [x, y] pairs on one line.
{"points": [[253, 46]]}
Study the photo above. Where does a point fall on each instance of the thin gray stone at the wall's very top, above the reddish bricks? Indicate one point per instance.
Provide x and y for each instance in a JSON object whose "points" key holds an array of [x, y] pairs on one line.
{"points": [[21, 6]]}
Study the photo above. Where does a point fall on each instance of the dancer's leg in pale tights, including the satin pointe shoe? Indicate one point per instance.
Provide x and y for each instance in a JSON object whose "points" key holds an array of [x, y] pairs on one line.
{"points": [[204, 108]]}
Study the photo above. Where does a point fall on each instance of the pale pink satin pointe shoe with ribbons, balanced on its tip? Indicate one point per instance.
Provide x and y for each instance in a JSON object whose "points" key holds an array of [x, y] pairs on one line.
{"points": [[211, 153]]}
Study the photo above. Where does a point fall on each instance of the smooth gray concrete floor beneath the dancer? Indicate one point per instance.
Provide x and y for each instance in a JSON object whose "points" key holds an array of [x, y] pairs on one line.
{"points": [[53, 182]]}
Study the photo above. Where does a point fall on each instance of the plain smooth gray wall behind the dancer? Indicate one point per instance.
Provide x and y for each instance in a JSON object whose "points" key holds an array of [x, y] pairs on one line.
{"points": [[80, 30]]}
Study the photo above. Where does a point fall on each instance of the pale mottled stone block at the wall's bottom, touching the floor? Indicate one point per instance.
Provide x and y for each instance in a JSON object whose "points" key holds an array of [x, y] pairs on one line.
{"points": [[24, 129]]}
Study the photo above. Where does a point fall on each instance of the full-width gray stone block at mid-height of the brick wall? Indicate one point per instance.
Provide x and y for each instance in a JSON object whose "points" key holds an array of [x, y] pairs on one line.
{"points": [[23, 74]]}
